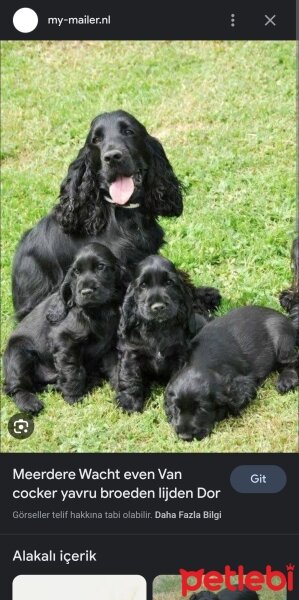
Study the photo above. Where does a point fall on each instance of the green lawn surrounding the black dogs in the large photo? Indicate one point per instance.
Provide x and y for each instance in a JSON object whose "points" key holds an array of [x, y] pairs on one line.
{"points": [[225, 113]]}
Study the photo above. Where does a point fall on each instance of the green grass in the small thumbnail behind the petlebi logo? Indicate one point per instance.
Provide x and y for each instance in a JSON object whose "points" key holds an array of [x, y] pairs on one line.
{"points": [[168, 587]]}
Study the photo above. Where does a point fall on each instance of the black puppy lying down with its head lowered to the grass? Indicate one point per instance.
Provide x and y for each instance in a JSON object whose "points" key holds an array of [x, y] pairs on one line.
{"points": [[231, 357]]}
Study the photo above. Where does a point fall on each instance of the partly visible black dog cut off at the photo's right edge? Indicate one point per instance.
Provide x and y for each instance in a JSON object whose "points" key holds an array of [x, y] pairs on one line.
{"points": [[289, 299]]}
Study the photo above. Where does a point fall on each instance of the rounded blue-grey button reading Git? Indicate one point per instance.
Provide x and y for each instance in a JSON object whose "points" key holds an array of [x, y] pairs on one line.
{"points": [[258, 479]]}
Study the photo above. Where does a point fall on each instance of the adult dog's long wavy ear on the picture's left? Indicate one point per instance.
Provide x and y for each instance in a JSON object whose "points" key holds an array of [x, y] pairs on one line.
{"points": [[78, 209]]}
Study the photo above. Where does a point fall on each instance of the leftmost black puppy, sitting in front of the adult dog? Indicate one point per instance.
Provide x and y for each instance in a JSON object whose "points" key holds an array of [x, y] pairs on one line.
{"points": [[69, 339]]}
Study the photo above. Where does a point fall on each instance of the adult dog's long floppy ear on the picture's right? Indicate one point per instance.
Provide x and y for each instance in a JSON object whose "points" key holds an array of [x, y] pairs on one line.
{"points": [[163, 194]]}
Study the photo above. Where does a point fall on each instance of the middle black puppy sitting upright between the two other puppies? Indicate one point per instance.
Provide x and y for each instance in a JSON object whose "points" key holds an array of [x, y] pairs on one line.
{"points": [[156, 326]]}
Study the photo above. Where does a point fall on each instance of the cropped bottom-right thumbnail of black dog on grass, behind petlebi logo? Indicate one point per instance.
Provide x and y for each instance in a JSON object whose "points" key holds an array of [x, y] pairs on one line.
{"points": [[168, 587]]}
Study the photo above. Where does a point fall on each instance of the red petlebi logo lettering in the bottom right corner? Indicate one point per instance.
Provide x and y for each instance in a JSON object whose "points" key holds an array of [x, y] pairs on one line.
{"points": [[253, 580]]}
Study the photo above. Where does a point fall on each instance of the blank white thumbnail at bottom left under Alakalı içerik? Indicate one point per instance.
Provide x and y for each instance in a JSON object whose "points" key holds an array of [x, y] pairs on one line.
{"points": [[79, 587]]}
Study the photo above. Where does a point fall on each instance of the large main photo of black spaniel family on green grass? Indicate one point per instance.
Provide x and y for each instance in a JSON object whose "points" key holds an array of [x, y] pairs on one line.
{"points": [[150, 261]]}
